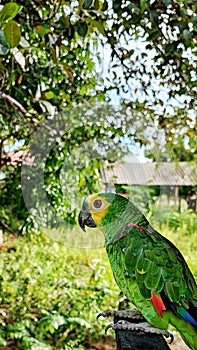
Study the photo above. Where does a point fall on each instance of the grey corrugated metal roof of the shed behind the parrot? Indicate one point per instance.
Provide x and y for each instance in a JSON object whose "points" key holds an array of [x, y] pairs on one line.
{"points": [[150, 174]]}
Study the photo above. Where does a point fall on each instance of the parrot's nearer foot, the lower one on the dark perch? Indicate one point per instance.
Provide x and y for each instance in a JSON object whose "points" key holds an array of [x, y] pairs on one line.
{"points": [[143, 327]]}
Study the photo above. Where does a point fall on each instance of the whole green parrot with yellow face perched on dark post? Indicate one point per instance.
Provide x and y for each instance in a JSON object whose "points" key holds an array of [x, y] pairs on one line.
{"points": [[147, 267]]}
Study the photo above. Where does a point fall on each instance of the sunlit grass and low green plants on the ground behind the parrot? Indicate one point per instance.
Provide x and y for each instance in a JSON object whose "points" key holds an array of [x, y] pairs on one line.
{"points": [[51, 294]]}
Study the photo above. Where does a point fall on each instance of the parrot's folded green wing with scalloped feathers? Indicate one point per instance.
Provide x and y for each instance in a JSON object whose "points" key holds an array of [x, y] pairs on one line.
{"points": [[159, 268]]}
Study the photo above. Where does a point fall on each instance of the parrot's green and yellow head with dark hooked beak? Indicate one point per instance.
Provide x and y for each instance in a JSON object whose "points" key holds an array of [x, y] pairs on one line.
{"points": [[101, 209]]}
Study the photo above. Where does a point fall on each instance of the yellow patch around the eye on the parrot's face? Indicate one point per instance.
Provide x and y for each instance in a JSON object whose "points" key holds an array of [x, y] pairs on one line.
{"points": [[98, 207]]}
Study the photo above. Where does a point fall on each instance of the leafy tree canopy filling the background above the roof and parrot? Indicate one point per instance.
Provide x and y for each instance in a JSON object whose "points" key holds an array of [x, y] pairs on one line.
{"points": [[52, 94]]}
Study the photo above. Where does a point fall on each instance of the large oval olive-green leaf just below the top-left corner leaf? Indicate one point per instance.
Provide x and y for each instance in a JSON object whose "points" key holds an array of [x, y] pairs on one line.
{"points": [[12, 33]]}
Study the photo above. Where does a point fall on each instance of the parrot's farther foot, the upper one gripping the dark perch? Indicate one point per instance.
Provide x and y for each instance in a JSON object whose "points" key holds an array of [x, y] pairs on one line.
{"points": [[125, 315]]}
